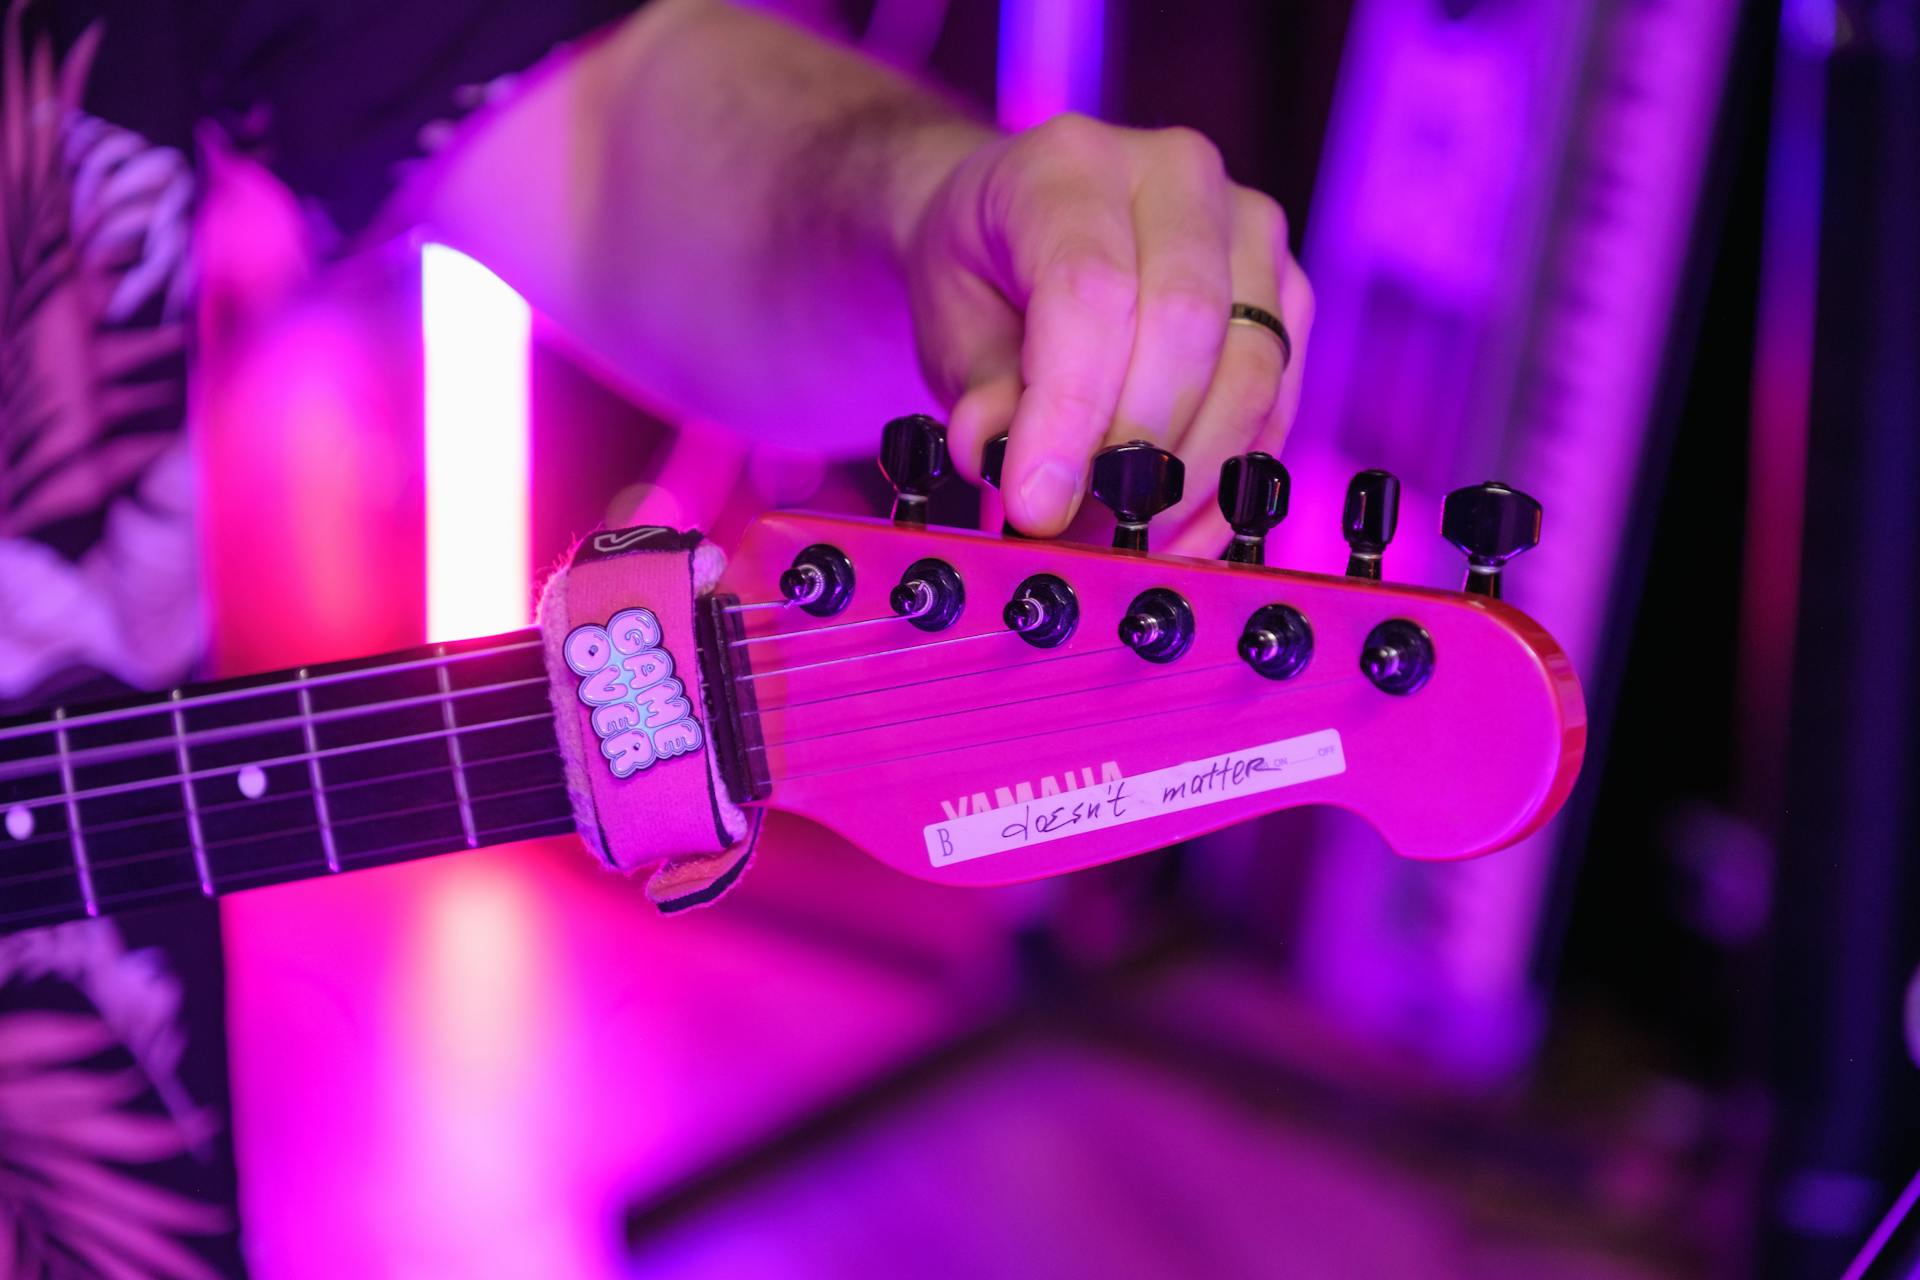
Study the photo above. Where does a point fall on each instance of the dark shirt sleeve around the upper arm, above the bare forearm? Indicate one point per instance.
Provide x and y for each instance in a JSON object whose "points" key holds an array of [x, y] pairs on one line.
{"points": [[337, 97]]}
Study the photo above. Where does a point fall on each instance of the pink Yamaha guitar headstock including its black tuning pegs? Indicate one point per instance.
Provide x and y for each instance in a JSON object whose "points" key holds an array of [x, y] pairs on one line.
{"points": [[976, 709]]}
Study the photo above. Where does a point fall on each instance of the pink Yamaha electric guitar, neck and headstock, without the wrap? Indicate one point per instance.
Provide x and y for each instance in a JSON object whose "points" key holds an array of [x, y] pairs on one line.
{"points": [[965, 707]]}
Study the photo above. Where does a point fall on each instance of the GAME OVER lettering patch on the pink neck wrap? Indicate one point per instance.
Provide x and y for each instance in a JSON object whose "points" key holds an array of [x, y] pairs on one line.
{"points": [[627, 678]]}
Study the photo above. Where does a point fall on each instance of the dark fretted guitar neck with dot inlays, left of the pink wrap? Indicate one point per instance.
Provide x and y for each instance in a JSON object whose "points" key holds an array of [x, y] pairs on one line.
{"points": [[297, 774]]}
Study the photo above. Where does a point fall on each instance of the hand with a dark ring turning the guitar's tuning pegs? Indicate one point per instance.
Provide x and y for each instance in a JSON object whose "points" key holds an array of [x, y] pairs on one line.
{"points": [[1072, 285]]}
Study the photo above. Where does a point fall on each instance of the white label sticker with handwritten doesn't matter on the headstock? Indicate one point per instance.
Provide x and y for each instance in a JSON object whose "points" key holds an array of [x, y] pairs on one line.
{"points": [[1120, 801]]}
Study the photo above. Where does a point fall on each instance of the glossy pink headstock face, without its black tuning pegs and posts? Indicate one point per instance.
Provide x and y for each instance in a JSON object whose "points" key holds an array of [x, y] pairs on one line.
{"points": [[1086, 753]]}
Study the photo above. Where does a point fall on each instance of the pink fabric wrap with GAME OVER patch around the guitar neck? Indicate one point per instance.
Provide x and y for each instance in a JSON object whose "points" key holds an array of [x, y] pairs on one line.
{"points": [[617, 621]]}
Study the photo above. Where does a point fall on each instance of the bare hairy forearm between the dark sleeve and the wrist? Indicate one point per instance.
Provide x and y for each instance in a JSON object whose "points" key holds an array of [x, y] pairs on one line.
{"points": [[717, 206]]}
